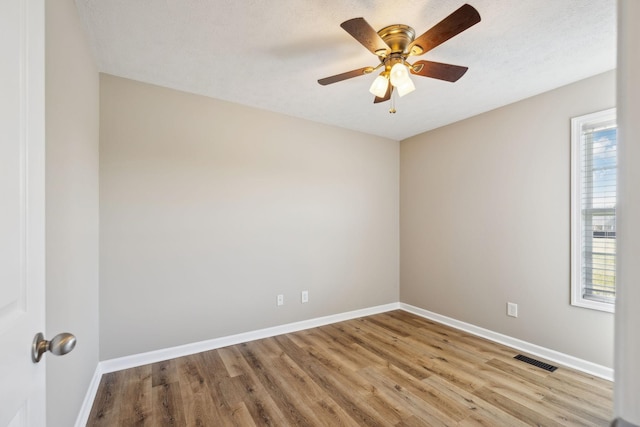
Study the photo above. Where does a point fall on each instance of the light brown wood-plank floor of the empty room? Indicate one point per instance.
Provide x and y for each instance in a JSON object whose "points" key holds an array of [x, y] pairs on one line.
{"points": [[390, 369]]}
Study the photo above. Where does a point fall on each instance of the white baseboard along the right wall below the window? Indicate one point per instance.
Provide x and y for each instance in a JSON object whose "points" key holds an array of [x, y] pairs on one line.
{"points": [[532, 349]]}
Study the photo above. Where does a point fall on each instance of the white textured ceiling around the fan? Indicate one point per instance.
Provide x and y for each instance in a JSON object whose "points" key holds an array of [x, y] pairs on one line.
{"points": [[270, 54]]}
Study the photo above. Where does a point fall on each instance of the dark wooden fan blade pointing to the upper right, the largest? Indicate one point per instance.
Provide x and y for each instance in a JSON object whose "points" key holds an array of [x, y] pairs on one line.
{"points": [[463, 18]]}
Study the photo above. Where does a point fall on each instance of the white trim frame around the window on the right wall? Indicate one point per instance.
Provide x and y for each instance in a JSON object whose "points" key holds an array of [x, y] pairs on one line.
{"points": [[577, 123]]}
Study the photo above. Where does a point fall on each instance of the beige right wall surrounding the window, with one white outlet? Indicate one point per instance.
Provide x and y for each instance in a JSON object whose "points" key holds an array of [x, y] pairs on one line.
{"points": [[485, 220]]}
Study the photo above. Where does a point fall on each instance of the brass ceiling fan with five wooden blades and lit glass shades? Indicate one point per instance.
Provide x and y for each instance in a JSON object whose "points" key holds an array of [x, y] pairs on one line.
{"points": [[395, 43]]}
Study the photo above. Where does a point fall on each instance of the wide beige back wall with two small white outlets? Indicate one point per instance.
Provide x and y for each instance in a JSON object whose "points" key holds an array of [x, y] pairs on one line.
{"points": [[208, 210]]}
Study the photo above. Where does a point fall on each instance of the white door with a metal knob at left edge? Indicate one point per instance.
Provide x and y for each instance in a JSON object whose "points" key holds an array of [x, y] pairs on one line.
{"points": [[22, 382]]}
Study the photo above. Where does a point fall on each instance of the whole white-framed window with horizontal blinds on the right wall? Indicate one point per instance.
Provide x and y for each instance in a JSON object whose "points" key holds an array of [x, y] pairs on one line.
{"points": [[593, 210]]}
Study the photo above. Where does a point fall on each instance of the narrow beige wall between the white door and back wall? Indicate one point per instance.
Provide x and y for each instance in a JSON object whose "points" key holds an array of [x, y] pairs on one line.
{"points": [[72, 91]]}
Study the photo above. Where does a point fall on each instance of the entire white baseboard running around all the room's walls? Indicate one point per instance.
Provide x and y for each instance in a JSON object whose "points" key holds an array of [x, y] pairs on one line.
{"points": [[135, 360]]}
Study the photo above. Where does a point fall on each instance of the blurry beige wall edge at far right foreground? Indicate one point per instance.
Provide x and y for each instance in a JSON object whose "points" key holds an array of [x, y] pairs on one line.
{"points": [[627, 378]]}
